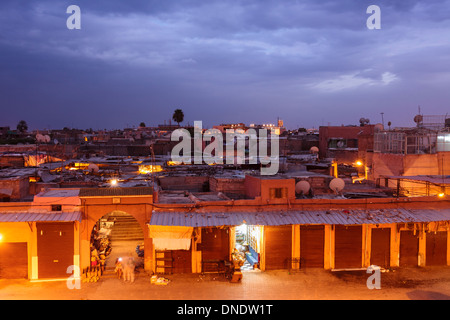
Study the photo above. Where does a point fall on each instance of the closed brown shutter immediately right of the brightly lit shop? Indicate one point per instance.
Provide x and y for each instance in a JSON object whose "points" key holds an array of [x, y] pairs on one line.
{"points": [[278, 246]]}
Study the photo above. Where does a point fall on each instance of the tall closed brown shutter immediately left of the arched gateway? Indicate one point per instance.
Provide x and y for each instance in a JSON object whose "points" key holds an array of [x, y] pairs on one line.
{"points": [[55, 249]]}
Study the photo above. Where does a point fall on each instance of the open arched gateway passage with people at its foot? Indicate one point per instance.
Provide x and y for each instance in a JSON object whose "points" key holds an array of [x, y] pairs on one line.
{"points": [[114, 236]]}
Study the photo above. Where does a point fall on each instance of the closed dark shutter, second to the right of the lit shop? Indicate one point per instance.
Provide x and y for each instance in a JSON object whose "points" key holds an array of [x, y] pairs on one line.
{"points": [[312, 246]]}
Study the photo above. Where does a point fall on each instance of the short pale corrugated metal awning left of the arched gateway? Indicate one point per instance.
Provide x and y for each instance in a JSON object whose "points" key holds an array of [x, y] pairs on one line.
{"points": [[40, 217]]}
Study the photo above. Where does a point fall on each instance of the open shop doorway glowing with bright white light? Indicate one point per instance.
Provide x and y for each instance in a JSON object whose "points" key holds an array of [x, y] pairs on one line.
{"points": [[248, 243]]}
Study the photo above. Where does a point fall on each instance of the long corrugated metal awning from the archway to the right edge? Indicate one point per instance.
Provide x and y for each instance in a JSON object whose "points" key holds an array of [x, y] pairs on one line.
{"points": [[272, 218]]}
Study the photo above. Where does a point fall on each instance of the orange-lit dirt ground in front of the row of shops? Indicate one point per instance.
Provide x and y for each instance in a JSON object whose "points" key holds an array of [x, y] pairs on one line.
{"points": [[313, 284]]}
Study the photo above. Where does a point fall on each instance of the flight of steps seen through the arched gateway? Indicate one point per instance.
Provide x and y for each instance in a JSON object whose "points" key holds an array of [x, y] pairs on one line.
{"points": [[125, 227]]}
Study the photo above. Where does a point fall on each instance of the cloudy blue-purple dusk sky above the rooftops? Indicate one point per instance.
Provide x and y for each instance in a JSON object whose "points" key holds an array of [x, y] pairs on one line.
{"points": [[310, 63]]}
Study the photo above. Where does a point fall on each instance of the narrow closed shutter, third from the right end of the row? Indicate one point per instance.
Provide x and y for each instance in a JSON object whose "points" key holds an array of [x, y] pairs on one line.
{"points": [[381, 247]]}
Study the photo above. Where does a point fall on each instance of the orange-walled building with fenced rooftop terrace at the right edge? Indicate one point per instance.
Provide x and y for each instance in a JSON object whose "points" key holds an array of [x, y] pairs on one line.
{"points": [[412, 153]]}
